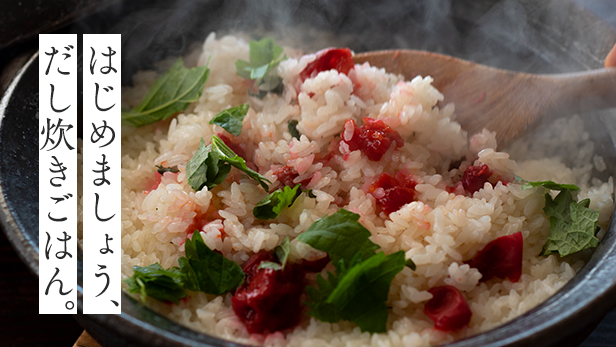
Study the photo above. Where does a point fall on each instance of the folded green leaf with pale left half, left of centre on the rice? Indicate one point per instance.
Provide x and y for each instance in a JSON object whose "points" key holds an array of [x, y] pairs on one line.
{"points": [[206, 168]]}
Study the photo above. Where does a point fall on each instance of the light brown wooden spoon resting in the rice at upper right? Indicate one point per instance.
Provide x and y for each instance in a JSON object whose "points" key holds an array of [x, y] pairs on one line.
{"points": [[502, 101]]}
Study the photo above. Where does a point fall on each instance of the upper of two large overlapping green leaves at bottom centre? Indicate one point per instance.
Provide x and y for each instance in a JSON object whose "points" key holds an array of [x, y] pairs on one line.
{"points": [[341, 236]]}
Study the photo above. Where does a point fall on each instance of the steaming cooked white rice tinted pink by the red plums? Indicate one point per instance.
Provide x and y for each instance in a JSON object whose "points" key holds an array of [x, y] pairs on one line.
{"points": [[439, 231]]}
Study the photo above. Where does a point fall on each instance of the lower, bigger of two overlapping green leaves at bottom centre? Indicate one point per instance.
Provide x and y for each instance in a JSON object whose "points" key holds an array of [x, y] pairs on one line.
{"points": [[357, 294]]}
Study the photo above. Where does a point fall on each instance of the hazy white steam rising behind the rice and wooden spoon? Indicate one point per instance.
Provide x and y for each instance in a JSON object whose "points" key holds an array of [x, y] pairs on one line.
{"points": [[523, 35]]}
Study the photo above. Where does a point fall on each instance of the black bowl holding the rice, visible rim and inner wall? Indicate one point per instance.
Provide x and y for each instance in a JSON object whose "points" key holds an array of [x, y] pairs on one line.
{"points": [[524, 35]]}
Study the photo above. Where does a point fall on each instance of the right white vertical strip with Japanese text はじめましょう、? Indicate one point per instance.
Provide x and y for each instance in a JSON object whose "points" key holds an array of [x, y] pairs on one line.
{"points": [[101, 174]]}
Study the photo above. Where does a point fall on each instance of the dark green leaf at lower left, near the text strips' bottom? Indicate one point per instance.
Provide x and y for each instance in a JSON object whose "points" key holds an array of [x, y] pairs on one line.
{"points": [[156, 282]]}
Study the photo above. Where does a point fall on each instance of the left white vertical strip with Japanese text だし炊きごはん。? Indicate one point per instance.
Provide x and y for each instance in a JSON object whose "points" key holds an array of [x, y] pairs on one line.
{"points": [[57, 174]]}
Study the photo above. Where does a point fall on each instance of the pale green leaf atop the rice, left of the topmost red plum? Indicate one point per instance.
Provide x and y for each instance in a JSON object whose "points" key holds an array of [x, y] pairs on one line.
{"points": [[264, 56]]}
